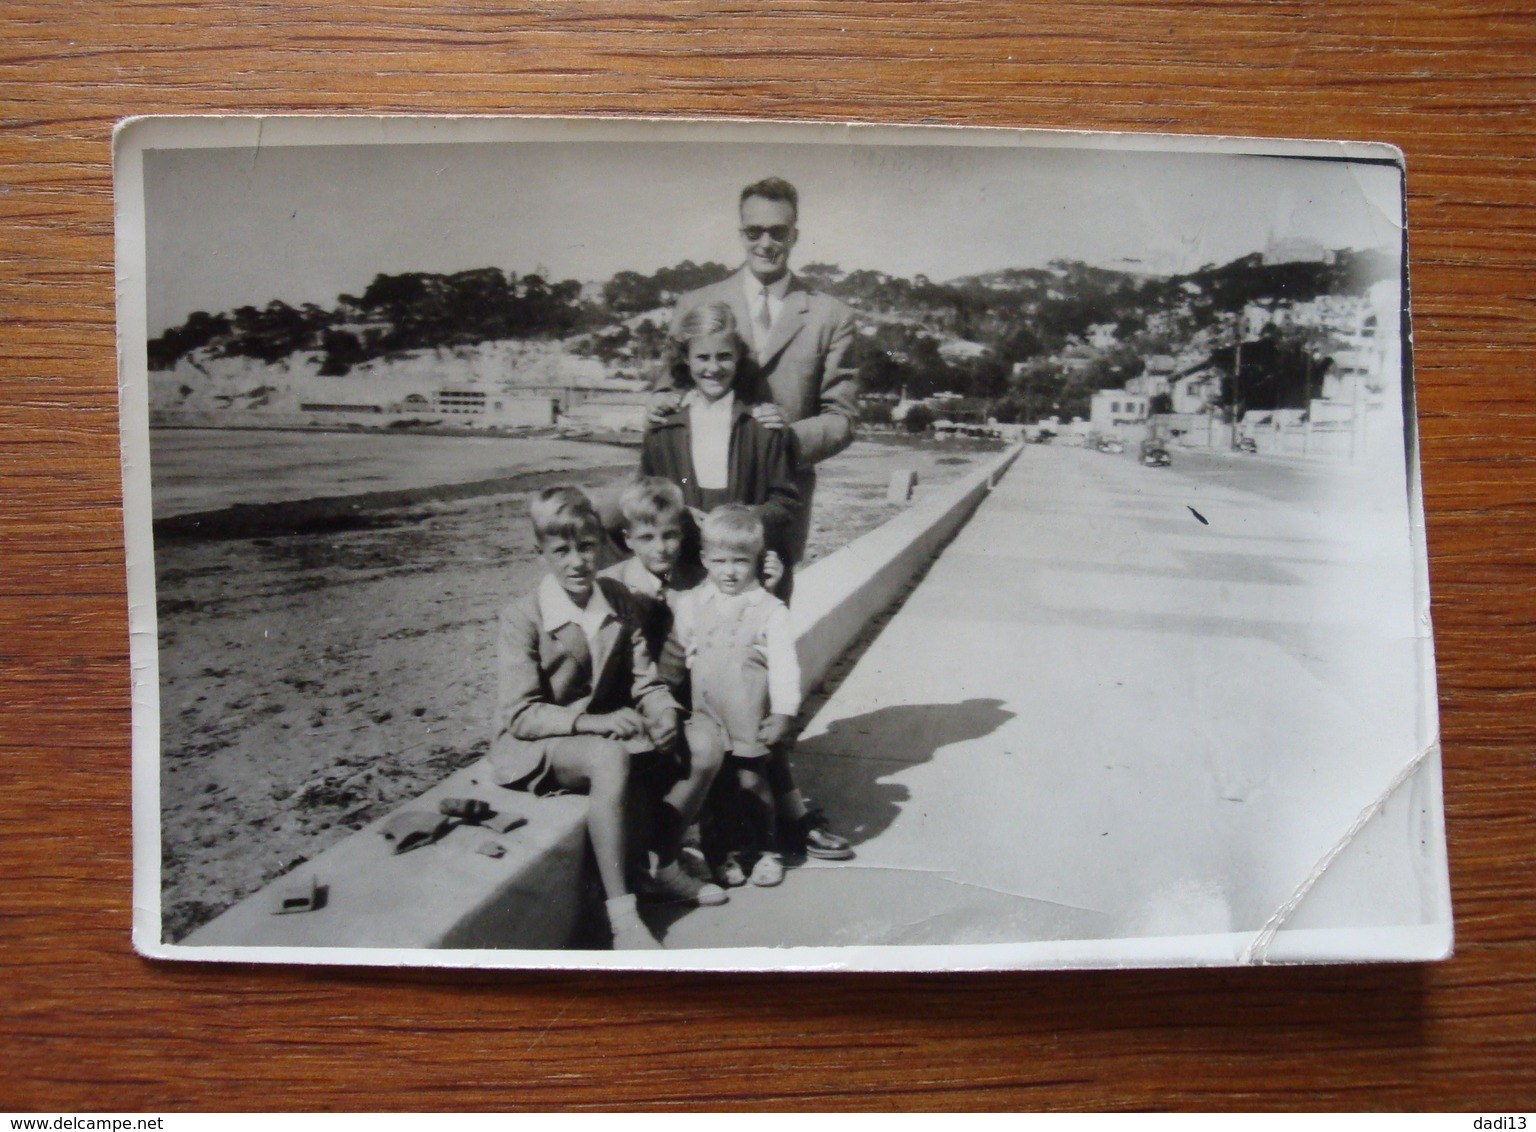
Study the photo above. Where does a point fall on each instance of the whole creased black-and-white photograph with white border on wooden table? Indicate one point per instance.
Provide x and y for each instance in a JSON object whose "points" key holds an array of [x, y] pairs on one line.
{"points": [[1096, 629]]}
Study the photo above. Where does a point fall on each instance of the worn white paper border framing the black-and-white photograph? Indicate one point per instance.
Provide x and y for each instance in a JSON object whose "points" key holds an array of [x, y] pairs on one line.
{"points": [[136, 136]]}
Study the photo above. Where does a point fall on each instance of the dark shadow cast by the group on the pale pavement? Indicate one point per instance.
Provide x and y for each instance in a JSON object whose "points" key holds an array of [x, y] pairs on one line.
{"points": [[844, 767]]}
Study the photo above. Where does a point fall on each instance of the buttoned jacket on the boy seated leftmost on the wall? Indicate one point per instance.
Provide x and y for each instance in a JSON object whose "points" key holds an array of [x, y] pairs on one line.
{"points": [[546, 681]]}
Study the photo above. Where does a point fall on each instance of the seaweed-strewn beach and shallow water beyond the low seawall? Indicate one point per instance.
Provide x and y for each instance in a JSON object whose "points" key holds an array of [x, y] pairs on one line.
{"points": [[313, 681]]}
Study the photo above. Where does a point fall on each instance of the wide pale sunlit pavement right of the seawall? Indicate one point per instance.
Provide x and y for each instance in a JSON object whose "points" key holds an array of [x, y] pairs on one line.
{"points": [[1125, 703]]}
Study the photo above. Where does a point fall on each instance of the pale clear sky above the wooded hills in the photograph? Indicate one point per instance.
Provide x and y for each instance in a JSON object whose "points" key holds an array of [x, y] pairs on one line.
{"points": [[228, 228]]}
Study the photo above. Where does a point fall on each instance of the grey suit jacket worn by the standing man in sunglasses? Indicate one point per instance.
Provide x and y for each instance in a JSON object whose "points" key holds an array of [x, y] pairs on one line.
{"points": [[807, 368]]}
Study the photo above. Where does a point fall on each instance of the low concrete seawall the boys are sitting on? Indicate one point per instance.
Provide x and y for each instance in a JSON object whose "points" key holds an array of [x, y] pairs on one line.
{"points": [[454, 895]]}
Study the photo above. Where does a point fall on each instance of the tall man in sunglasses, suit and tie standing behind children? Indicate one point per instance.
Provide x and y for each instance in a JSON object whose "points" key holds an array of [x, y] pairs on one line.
{"points": [[803, 351]]}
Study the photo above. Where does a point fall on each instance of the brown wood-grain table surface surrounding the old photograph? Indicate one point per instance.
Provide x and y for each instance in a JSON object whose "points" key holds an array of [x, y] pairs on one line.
{"points": [[90, 1027]]}
